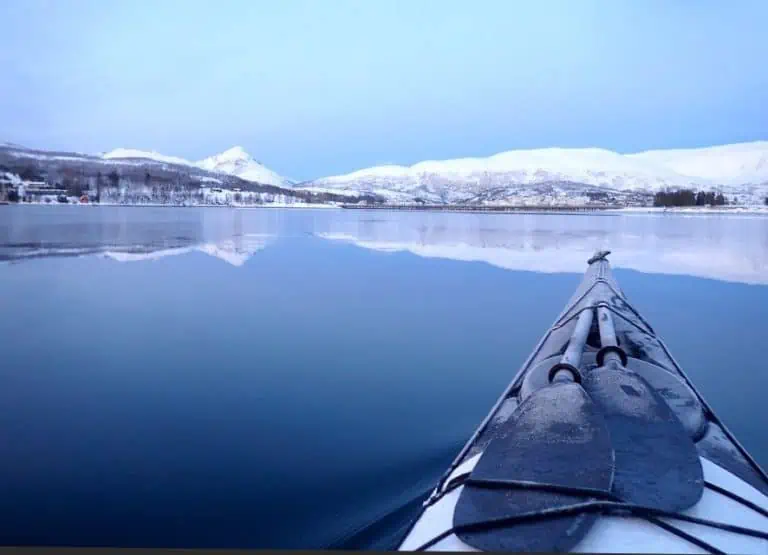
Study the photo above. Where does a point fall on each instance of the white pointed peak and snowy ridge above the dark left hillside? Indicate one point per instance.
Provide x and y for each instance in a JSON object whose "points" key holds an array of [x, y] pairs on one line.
{"points": [[235, 161]]}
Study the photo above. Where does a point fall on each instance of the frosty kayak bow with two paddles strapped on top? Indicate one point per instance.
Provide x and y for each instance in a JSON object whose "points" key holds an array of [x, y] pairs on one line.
{"points": [[600, 443]]}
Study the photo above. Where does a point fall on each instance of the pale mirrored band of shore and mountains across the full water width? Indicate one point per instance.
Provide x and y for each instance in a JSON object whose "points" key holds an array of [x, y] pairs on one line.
{"points": [[725, 247]]}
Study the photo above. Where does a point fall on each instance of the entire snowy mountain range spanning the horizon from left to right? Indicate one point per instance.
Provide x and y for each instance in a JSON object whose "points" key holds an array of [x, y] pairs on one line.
{"points": [[528, 176]]}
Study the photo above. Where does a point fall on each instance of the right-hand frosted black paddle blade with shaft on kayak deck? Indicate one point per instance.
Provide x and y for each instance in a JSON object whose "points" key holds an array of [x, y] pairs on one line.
{"points": [[656, 462]]}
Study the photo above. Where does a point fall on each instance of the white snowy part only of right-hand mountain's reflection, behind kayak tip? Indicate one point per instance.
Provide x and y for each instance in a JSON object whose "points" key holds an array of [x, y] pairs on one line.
{"points": [[566, 255]]}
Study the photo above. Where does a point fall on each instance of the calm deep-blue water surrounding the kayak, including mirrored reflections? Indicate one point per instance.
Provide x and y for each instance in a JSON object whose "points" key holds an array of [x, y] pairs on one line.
{"points": [[275, 378]]}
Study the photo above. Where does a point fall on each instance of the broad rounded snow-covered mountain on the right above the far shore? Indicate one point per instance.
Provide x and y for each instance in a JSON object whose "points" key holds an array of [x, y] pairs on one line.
{"points": [[740, 168]]}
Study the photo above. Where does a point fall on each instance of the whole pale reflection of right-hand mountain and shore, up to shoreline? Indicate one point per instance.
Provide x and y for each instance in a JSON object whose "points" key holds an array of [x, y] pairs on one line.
{"points": [[726, 248]]}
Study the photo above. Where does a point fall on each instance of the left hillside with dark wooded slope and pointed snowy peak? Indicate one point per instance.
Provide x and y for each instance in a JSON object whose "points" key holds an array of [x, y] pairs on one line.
{"points": [[128, 176]]}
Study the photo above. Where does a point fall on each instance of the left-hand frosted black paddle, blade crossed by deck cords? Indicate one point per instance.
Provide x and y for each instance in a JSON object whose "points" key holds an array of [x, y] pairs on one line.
{"points": [[557, 440]]}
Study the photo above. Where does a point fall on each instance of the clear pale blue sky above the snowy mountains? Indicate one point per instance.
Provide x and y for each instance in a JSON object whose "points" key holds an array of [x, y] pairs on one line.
{"points": [[320, 87]]}
